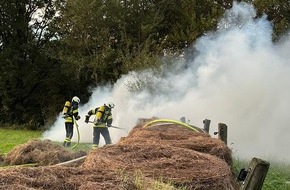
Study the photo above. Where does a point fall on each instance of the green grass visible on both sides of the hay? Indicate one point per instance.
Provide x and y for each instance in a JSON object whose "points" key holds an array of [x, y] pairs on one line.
{"points": [[278, 176]]}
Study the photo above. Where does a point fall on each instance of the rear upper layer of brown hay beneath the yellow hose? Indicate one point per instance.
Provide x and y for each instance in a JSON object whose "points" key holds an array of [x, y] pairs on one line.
{"points": [[178, 136]]}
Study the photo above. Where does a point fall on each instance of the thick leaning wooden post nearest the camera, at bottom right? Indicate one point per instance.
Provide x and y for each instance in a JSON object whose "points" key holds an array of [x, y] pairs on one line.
{"points": [[257, 172]]}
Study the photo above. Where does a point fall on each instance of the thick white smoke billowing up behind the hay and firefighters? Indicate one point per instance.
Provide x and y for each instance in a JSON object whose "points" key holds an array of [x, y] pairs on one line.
{"points": [[237, 76]]}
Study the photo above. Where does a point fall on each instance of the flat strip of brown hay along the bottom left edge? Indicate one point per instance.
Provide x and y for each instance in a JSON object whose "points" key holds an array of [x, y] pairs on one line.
{"points": [[61, 178]]}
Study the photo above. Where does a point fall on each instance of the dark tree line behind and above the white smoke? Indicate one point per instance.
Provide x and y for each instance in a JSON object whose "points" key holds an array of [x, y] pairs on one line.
{"points": [[51, 50]]}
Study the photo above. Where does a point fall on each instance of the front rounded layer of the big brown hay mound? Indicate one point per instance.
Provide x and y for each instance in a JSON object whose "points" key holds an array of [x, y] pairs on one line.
{"points": [[178, 165]]}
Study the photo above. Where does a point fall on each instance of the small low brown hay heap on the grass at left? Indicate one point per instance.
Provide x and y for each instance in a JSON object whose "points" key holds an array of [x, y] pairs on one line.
{"points": [[40, 152]]}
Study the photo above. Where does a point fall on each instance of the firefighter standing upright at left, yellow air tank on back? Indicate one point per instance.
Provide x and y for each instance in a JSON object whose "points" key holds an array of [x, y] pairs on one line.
{"points": [[70, 109]]}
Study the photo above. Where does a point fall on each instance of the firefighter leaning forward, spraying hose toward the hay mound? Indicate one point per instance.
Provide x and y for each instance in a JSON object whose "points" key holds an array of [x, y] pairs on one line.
{"points": [[103, 120]]}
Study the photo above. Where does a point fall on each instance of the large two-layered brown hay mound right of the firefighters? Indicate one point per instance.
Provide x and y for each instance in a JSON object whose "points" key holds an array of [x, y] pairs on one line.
{"points": [[170, 153]]}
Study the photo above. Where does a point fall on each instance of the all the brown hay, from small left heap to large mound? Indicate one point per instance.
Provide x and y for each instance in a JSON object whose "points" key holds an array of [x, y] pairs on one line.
{"points": [[163, 156]]}
